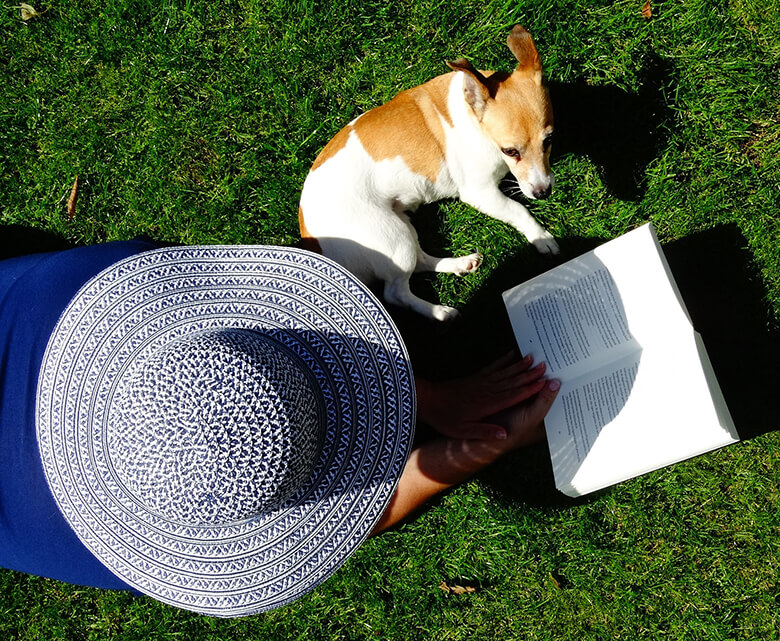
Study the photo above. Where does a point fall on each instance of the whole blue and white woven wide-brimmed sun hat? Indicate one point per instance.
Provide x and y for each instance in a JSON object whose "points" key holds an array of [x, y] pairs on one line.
{"points": [[223, 426]]}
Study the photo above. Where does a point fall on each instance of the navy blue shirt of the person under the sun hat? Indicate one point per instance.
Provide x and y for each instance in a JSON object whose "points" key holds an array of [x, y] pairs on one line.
{"points": [[34, 291]]}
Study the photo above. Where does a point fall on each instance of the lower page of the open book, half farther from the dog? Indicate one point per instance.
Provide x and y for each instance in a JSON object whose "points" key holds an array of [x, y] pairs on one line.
{"points": [[633, 417]]}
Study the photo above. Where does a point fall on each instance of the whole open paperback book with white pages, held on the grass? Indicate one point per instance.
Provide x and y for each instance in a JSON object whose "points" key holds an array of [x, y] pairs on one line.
{"points": [[638, 389]]}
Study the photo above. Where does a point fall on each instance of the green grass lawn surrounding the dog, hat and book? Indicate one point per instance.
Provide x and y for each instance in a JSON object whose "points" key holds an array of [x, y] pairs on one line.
{"points": [[196, 122]]}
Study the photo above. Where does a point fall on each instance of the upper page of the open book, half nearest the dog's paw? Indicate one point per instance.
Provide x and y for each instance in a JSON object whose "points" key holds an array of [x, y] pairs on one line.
{"points": [[597, 307]]}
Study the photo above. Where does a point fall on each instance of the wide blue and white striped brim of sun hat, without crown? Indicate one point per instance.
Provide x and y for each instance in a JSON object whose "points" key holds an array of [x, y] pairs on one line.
{"points": [[308, 303]]}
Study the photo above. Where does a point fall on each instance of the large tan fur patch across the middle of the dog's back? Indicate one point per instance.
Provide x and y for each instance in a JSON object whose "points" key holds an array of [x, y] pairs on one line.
{"points": [[409, 126]]}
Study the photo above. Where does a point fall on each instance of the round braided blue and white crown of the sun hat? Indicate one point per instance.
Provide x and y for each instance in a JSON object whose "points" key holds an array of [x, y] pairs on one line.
{"points": [[216, 428]]}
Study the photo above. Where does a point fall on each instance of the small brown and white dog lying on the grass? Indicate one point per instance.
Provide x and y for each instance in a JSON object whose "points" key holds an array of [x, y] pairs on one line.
{"points": [[454, 136]]}
